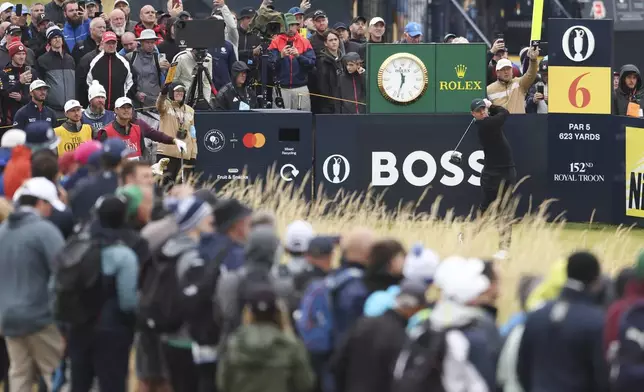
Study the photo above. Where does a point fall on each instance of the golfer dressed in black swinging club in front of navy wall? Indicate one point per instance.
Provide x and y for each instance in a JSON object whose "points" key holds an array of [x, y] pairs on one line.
{"points": [[499, 169]]}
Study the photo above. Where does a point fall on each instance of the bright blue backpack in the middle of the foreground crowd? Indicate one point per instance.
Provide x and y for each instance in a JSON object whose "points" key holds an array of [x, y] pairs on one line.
{"points": [[315, 317]]}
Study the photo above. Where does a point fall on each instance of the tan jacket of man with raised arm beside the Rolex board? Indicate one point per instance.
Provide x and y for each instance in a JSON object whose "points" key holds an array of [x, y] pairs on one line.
{"points": [[511, 95]]}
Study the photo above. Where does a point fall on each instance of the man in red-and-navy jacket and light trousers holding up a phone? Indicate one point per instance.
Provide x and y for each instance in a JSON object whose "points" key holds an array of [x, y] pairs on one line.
{"points": [[293, 58]]}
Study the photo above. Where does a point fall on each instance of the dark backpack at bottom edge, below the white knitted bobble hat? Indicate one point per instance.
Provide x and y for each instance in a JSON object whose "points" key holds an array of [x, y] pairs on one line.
{"points": [[419, 367]]}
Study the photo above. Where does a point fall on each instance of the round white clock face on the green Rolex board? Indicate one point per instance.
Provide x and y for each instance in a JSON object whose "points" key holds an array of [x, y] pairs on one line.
{"points": [[402, 78]]}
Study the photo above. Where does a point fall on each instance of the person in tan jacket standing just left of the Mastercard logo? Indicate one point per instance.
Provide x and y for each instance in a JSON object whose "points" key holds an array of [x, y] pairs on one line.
{"points": [[176, 121]]}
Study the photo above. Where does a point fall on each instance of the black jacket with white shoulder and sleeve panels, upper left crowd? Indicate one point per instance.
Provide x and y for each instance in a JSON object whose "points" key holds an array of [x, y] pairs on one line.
{"points": [[112, 71]]}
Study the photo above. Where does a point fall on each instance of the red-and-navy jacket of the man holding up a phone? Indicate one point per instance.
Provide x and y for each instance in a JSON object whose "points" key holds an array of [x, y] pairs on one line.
{"points": [[291, 71]]}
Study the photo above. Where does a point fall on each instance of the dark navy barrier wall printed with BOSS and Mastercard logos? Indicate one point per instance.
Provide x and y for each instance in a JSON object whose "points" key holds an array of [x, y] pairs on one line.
{"points": [[408, 155]]}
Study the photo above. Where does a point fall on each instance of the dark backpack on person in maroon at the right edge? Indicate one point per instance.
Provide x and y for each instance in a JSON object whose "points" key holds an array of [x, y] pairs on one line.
{"points": [[627, 365]]}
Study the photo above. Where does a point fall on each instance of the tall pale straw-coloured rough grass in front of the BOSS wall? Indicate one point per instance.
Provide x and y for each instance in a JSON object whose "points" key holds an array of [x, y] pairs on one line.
{"points": [[538, 239]]}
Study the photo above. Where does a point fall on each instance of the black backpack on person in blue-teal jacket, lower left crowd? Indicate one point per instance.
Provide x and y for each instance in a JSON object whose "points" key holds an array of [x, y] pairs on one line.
{"points": [[78, 285]]}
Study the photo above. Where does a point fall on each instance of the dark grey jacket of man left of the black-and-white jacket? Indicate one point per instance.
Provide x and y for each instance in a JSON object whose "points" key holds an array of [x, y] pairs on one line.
{"points": [[59, 72]]}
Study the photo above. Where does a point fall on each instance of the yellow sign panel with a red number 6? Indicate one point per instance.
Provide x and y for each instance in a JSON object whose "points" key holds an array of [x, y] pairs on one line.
{"points": [[579, 90]]}
